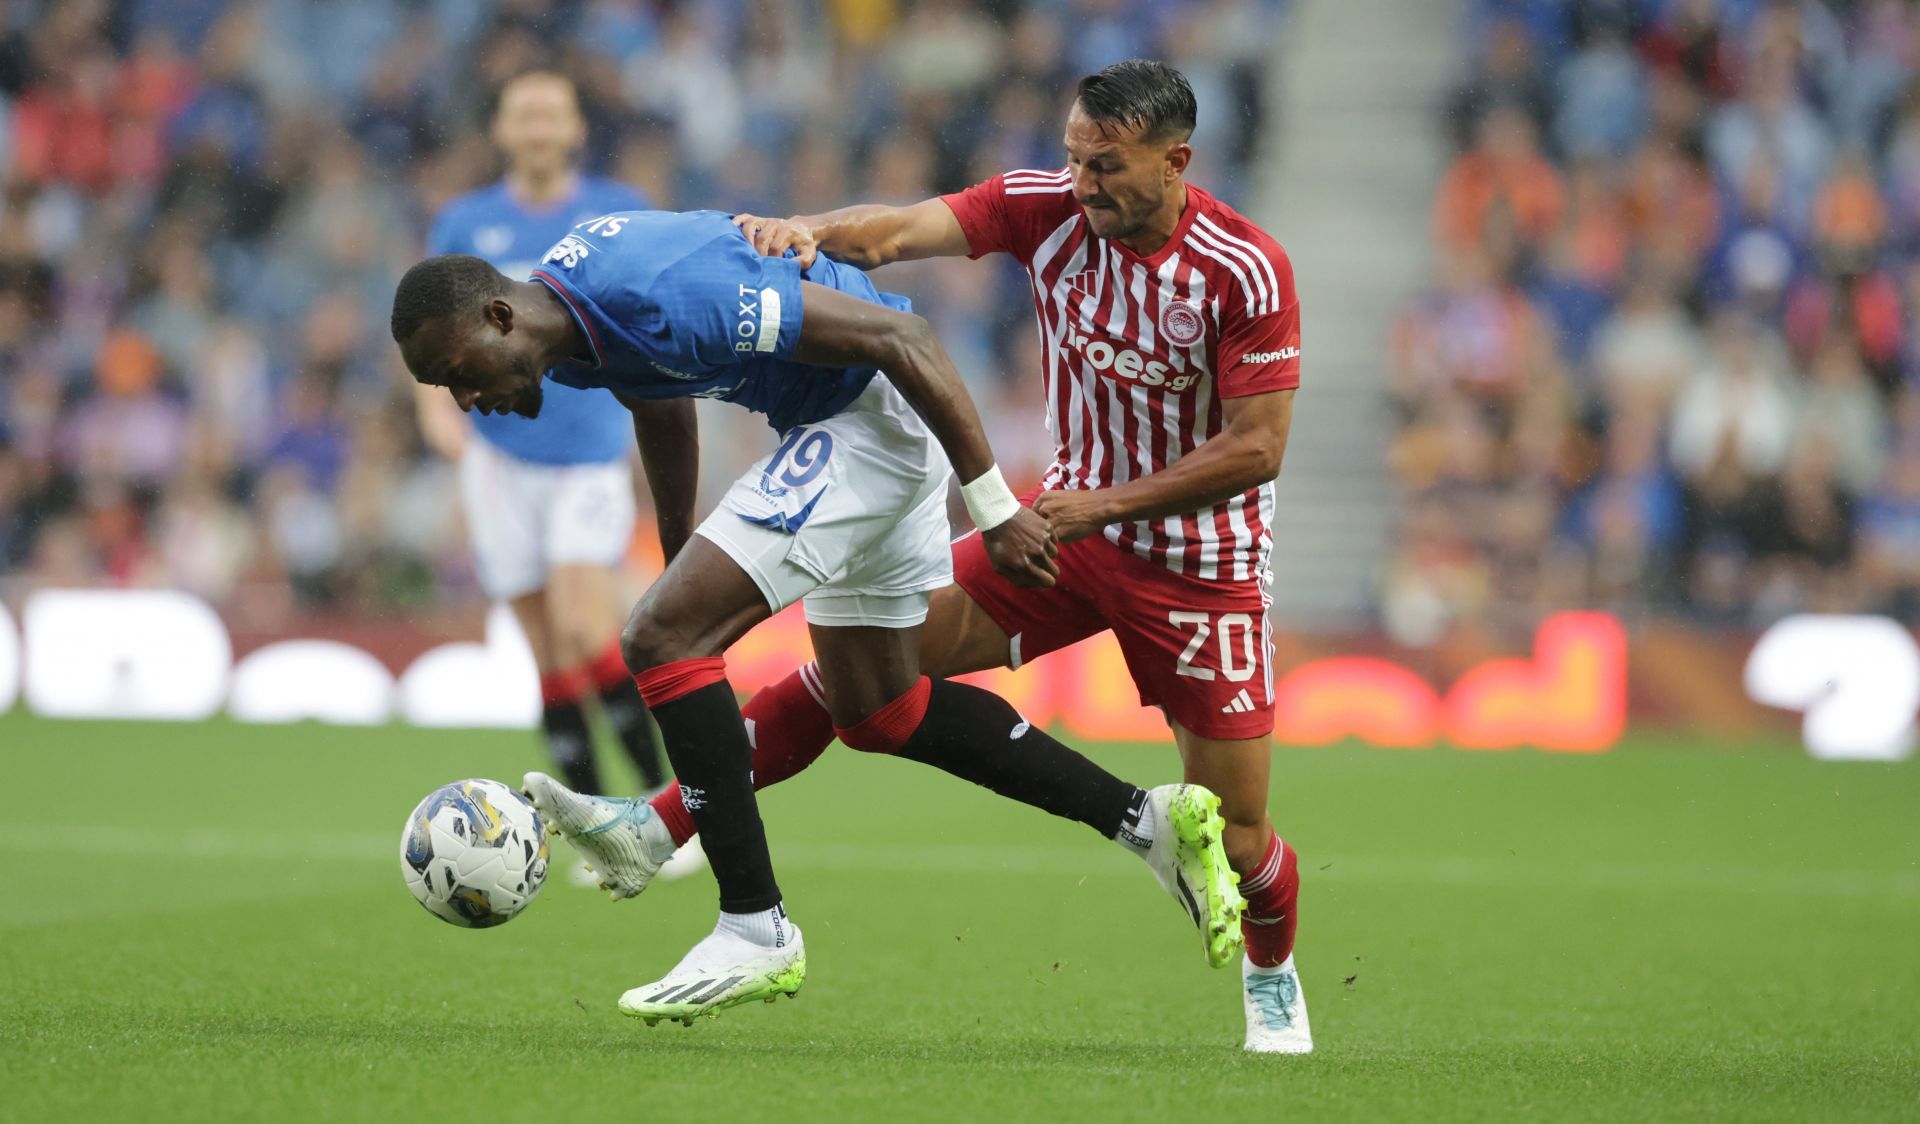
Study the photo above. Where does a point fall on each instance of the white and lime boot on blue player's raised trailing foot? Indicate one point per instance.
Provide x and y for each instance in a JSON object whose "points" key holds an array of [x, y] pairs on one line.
{"points": [[1191, 864]]}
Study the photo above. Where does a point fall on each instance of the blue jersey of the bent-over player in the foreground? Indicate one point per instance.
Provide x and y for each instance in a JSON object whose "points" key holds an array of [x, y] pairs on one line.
{"points": [[684, 306]]}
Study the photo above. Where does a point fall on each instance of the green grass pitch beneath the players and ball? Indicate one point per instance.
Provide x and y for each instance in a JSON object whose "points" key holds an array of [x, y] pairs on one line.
{"points": [[208, 923]]}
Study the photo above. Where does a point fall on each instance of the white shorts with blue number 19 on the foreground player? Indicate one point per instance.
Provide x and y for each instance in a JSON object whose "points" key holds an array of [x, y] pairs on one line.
{"points": [[848, 516]]}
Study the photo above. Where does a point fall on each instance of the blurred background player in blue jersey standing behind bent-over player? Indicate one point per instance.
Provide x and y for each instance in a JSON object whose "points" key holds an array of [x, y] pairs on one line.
{"points": [[550, 501]]}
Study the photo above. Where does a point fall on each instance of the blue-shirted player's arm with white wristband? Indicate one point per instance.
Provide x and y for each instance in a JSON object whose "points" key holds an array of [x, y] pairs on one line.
{"points": [[844, 331]]}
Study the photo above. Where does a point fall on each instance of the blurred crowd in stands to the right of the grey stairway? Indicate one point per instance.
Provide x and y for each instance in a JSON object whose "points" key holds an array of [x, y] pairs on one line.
{"points": [[1671, 360]]}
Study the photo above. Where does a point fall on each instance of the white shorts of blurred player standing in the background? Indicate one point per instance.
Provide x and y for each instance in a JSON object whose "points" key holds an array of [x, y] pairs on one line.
{"points": [[529, 518]]}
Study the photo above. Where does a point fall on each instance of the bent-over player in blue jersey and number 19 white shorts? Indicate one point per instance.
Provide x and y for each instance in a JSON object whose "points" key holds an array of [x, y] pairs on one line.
{"points": [[846, 516]]}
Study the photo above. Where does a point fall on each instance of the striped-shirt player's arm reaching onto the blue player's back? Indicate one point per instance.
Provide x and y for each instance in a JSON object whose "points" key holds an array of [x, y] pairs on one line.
{"points": [[865, 235]]}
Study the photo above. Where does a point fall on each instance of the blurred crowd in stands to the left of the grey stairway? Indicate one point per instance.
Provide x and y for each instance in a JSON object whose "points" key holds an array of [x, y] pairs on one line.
{"points": [[204, 207]]}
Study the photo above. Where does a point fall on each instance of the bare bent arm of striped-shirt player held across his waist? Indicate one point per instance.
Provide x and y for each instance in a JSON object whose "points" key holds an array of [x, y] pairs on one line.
{"points": [[1243, 456]]}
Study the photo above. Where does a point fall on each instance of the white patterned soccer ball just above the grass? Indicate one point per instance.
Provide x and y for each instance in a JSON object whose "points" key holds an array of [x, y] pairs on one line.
{"points": [[475, 854]]}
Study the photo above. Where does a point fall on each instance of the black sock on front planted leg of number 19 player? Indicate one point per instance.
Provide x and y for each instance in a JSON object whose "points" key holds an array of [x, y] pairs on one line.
{"points": [[708, 743]]}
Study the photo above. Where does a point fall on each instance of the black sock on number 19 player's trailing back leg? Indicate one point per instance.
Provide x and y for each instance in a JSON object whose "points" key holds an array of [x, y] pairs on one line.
{"points": [[978, 737]]}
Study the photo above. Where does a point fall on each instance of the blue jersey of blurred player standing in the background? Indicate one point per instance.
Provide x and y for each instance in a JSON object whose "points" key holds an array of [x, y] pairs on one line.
{"points": [[575, 428]]}
